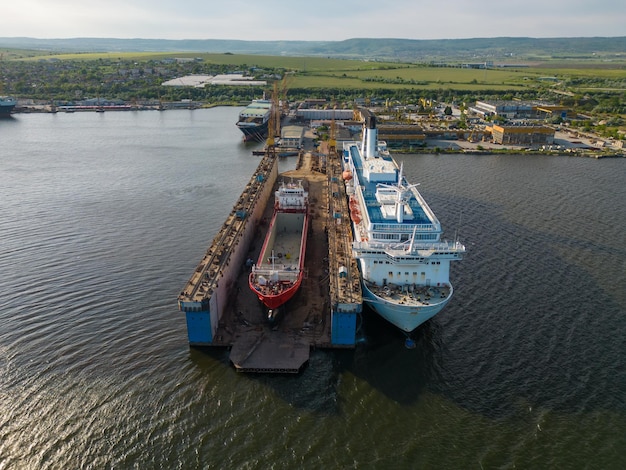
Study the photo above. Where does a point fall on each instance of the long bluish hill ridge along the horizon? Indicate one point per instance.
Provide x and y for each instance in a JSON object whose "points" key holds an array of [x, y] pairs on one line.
{"points": [[363, 48]]}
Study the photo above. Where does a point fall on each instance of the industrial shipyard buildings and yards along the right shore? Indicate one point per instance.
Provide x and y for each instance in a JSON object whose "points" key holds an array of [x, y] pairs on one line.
{"points": [[485, 127]]}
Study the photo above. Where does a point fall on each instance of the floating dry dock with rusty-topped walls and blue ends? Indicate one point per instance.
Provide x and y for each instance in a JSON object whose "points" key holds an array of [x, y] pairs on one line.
{"points": [[222, 311]]}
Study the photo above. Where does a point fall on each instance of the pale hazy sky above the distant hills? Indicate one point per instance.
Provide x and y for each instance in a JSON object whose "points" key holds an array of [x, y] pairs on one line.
{"points": [[317, 20]]}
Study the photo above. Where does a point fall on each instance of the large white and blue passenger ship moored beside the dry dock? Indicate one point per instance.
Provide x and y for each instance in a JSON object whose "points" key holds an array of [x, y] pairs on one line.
{"points": [[404, 264]]}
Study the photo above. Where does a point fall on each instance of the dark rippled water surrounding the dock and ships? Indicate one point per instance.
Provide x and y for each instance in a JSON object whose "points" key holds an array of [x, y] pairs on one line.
{"points": [[104, 217]]}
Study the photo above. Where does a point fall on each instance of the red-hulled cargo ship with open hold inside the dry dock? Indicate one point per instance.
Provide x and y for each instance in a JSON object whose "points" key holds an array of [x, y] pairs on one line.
{"points": [[278, 273]]}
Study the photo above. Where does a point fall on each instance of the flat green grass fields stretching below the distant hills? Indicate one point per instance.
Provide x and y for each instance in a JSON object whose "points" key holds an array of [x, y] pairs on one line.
{"points": [[317, 72]]}
